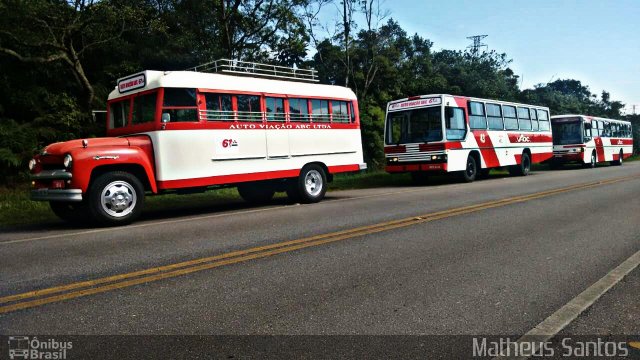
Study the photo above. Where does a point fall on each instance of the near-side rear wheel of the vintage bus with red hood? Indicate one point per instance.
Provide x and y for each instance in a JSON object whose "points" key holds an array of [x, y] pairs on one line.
{"points": [[310, 186]]}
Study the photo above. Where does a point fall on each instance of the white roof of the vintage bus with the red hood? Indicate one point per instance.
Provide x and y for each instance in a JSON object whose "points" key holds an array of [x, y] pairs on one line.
{"points": [[190, 79]]}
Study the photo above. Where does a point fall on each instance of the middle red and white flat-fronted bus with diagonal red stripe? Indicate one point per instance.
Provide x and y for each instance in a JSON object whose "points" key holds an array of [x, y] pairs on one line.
{"points": [[465, 135]]}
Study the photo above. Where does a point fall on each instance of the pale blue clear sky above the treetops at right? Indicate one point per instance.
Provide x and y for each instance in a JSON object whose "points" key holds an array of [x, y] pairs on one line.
{"points": [[594, 41]]}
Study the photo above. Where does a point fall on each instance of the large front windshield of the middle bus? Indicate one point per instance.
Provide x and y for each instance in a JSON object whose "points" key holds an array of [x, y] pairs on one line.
{"points": [[414, 126]]}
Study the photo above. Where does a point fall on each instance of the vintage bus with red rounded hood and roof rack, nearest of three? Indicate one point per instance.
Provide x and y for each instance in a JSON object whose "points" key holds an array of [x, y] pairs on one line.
{"points": [[271, 129]]}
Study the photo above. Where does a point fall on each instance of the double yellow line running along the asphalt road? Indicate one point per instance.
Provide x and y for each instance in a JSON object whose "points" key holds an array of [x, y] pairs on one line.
{"points": [[84, 288]]}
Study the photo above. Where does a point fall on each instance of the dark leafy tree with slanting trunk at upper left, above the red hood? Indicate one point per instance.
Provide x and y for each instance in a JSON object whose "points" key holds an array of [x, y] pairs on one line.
{"points": [[45, 32]]}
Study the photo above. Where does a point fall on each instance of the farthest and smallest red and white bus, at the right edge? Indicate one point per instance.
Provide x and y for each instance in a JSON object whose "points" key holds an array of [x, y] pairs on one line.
{"points": [[589, 140]]}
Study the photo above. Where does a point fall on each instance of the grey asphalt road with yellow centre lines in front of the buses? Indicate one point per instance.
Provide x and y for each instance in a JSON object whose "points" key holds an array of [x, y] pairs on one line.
{"points": [[497, 268]]}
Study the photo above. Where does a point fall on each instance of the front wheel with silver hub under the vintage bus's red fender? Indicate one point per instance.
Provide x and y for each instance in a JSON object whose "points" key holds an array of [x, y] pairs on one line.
{"points": [[115, 198]]}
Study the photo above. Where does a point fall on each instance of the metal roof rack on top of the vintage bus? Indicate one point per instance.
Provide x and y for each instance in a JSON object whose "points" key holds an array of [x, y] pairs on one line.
{"points": [[238, 67]]}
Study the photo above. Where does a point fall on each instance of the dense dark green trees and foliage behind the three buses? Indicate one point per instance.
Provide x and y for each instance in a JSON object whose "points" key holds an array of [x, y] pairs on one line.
{"points": [[60, 58]]}
